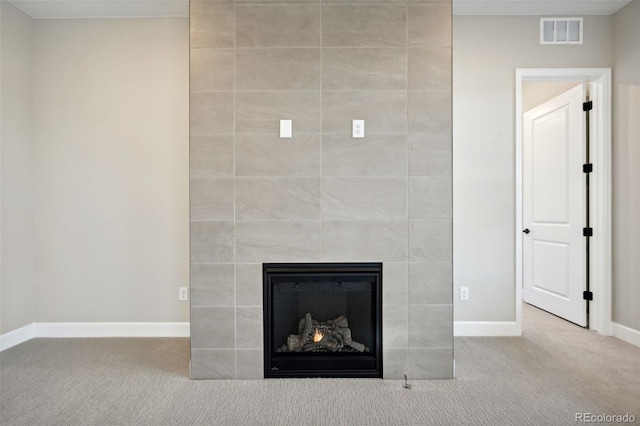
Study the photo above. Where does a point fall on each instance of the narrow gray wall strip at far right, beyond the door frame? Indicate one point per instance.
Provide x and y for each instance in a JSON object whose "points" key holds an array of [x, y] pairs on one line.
{"points": [[626, 166]]}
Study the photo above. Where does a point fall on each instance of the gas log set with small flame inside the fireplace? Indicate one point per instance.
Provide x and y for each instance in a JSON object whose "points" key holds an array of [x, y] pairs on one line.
{"points": [[327, 336]]}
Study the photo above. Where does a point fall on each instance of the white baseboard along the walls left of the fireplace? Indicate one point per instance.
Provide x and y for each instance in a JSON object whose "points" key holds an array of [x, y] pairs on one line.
{"points": [[93, 329]]}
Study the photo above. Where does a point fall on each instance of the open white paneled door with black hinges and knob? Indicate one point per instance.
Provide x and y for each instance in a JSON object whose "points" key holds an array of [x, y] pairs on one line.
{"points": [[554, 206]]}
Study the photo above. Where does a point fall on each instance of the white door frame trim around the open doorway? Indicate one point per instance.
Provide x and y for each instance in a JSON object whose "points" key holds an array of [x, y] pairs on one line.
{"points": [[600, 187]]}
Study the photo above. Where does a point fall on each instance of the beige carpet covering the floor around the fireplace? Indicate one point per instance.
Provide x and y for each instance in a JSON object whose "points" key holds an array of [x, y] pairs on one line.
{"points": [[545, 377]]}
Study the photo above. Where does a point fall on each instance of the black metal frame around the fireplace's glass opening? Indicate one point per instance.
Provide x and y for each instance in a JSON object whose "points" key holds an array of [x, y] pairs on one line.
{"points": [[279, 365]]}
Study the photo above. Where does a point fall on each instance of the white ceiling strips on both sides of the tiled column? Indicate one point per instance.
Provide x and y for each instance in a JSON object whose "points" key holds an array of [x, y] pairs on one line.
{"points": [[155, 8]]}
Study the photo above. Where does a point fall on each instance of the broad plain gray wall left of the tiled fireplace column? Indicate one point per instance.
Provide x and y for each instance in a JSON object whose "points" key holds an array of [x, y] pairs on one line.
{"points": [[111, 138]]}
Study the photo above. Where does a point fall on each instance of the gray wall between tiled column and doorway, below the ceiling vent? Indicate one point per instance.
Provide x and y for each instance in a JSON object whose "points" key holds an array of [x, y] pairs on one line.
{"points": [[487, 52]]}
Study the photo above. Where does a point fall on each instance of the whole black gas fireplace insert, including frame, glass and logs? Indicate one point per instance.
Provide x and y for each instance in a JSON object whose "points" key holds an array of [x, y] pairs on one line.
{"points": [[322, 319]]}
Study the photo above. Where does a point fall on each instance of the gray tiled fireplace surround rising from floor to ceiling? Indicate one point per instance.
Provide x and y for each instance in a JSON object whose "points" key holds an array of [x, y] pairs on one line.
{"points": [[320, 196]]}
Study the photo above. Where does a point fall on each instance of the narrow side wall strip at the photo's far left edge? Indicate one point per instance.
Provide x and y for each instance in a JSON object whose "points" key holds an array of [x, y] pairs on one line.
{"points": [[17, 286]]}
